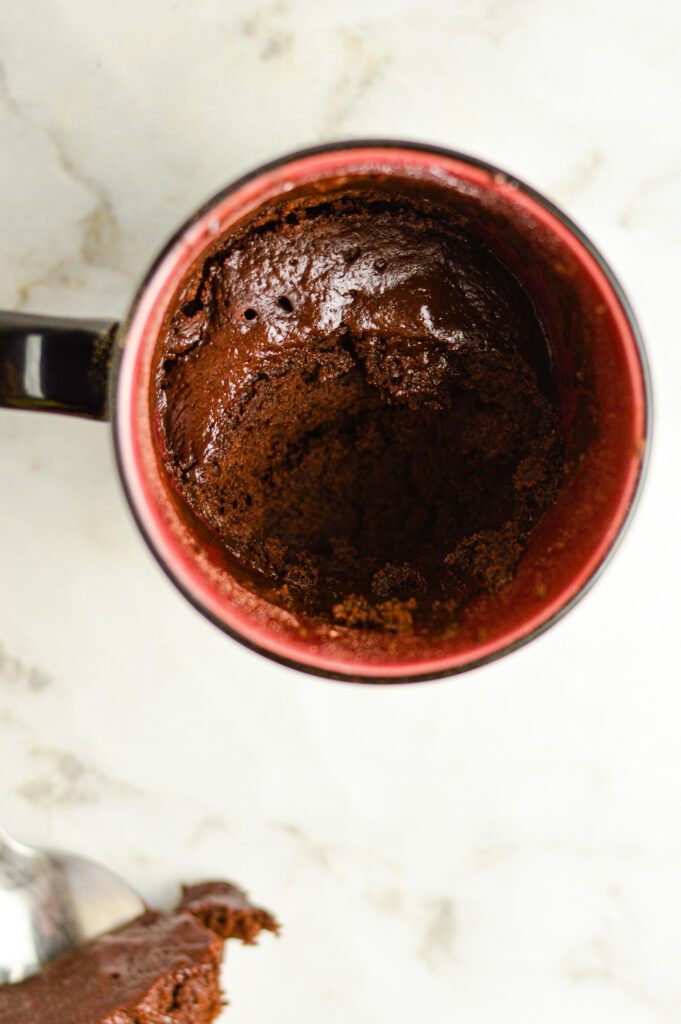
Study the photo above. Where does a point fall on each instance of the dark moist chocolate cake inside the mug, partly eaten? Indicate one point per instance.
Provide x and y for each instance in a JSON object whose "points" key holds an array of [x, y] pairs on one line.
{"points": [[357, 398]]}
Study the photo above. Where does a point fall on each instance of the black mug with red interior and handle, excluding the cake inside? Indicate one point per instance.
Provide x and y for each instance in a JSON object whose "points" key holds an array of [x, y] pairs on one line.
{"points": [[104, 371]]}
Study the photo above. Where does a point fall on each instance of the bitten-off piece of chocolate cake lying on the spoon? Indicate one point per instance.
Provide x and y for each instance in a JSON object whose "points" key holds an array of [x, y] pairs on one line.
{"points": [[159, 969]]}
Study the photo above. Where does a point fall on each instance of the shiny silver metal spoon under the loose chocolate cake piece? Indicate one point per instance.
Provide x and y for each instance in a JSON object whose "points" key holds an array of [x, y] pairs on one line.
{"points": [[51, 902]]}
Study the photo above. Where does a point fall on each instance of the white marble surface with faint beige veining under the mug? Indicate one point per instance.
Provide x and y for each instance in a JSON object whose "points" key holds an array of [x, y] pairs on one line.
{"points": [[502, 846]]}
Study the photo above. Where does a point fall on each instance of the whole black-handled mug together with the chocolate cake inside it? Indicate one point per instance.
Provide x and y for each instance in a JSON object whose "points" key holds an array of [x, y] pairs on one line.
{"points": [[381, 411]]}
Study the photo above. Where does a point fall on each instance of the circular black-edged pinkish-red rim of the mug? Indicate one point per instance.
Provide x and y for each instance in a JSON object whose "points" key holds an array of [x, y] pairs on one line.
{"points": [[498, 176]]}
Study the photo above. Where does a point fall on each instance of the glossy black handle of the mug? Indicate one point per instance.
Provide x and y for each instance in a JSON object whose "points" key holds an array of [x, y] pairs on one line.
{"points": [[56, 364]]}
